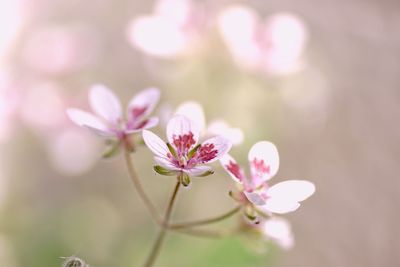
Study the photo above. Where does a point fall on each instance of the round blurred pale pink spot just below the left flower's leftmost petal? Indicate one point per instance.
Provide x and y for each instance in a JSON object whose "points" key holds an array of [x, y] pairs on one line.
{"points": [[72, 151]]}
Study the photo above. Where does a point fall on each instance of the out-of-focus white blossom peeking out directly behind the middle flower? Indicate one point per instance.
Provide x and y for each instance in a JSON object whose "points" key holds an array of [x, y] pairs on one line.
{"points": [[195, 112]]}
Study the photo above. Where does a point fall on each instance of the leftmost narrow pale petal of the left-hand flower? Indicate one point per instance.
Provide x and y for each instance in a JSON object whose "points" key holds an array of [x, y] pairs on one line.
{"points": [[86, 119]]}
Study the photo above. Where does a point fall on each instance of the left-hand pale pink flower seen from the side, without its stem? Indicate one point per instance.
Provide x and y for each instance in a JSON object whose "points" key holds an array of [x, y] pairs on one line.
{"points": [[109, 120]]}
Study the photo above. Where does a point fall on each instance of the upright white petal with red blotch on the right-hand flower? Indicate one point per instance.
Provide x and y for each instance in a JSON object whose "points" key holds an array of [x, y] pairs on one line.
{"points": [[264, 161]]}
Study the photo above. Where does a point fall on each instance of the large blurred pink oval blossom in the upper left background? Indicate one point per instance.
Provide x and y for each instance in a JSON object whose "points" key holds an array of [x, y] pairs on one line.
{"points": [[65, 49]]}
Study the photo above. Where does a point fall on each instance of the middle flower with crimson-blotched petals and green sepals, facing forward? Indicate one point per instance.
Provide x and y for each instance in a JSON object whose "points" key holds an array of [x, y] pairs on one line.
{"points": [[181, 155]]}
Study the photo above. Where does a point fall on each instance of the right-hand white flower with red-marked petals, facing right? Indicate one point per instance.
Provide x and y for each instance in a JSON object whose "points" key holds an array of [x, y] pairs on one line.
{"points": [[255, 191]]}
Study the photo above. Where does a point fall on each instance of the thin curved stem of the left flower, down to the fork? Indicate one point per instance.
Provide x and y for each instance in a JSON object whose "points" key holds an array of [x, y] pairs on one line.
{"points": [[139, 188]]}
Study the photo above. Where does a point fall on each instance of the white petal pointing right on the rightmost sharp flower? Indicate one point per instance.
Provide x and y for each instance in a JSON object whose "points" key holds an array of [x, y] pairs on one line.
{"points": [[297, 190]]}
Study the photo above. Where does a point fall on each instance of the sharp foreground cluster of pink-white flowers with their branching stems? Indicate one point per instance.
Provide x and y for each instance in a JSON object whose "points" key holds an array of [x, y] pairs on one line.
{"points": [[187, 152]]}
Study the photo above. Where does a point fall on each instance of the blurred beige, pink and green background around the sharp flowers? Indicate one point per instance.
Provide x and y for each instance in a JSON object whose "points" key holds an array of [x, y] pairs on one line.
{"points": [[318, 78]]}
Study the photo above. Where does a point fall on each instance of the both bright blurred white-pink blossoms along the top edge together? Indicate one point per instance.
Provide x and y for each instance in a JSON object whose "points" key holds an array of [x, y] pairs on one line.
{"points": [[177, 27]]}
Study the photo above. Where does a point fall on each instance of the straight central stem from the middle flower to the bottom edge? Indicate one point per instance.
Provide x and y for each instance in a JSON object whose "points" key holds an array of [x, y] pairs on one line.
{"points": [[160, 238]]}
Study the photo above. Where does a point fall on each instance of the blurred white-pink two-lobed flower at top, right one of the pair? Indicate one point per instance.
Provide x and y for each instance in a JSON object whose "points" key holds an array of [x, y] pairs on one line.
{"points": [[273, 46]]}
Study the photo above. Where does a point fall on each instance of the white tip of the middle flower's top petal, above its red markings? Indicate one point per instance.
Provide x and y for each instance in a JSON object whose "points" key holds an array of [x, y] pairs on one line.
{"points": [[180, 125]]}
